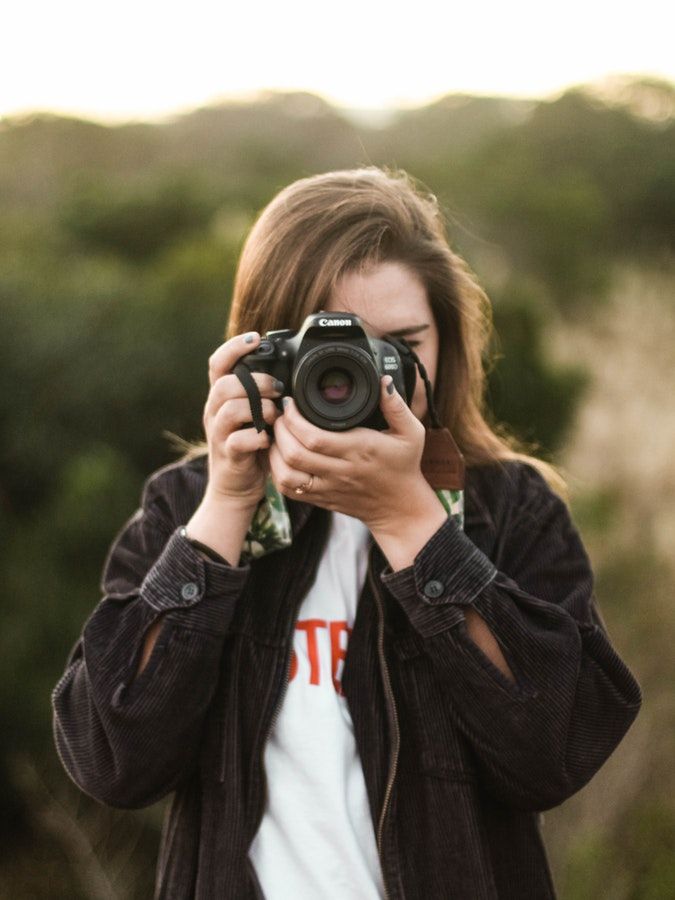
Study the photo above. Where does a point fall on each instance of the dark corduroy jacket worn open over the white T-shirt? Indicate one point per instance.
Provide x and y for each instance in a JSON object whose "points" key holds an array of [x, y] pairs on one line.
{"points": [[458, 760]]}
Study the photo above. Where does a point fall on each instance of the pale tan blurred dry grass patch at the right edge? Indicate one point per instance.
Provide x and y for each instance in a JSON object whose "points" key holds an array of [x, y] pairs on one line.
{"points": [[626, 431]]}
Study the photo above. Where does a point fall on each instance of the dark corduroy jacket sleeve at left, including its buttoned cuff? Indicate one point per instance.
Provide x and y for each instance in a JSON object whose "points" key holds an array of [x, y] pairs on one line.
{"points": [[128, 741]]}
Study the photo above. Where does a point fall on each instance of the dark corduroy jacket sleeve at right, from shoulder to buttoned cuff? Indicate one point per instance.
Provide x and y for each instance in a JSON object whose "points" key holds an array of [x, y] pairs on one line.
{"points": [[541, 739]]}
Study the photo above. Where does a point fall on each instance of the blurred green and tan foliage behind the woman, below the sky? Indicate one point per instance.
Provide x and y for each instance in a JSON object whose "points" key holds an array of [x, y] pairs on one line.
{"points": [[118, 247]]}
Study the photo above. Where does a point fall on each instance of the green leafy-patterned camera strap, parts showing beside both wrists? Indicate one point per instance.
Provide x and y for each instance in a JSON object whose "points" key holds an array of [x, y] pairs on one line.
{"points": [[271, 526]]}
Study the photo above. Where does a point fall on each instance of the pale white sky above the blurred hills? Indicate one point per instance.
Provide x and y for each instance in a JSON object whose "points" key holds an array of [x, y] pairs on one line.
{"points": [[148, 59]]}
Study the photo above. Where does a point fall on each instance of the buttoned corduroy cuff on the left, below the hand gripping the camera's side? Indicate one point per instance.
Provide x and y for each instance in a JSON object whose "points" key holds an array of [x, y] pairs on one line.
{"points": [[199, 593]]}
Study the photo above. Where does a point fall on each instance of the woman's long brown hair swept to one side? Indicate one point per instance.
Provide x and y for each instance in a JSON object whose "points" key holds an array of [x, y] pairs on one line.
{"points": [[319, 228]]}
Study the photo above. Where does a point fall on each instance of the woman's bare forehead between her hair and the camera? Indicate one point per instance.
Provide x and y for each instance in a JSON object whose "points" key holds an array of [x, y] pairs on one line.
{"points": [[387, 296]]}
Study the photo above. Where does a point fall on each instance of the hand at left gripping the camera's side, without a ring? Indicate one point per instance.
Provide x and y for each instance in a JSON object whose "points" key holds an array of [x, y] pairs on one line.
{"points": [[238, 464]]}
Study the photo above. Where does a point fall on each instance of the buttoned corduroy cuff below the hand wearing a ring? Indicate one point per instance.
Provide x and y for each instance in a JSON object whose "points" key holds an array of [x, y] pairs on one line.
{"points": [[448, 573]]}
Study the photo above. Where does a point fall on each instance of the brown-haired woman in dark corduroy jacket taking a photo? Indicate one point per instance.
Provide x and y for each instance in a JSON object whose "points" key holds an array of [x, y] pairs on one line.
{"points": [[382, 706]]}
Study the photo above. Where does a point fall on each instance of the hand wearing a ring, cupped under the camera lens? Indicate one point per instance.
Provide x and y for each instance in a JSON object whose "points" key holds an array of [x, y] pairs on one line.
{"points": [[372, 475]]}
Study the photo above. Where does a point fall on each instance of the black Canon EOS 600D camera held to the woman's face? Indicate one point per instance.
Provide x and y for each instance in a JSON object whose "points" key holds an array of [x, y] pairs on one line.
{"points": [[332, 369]]}
